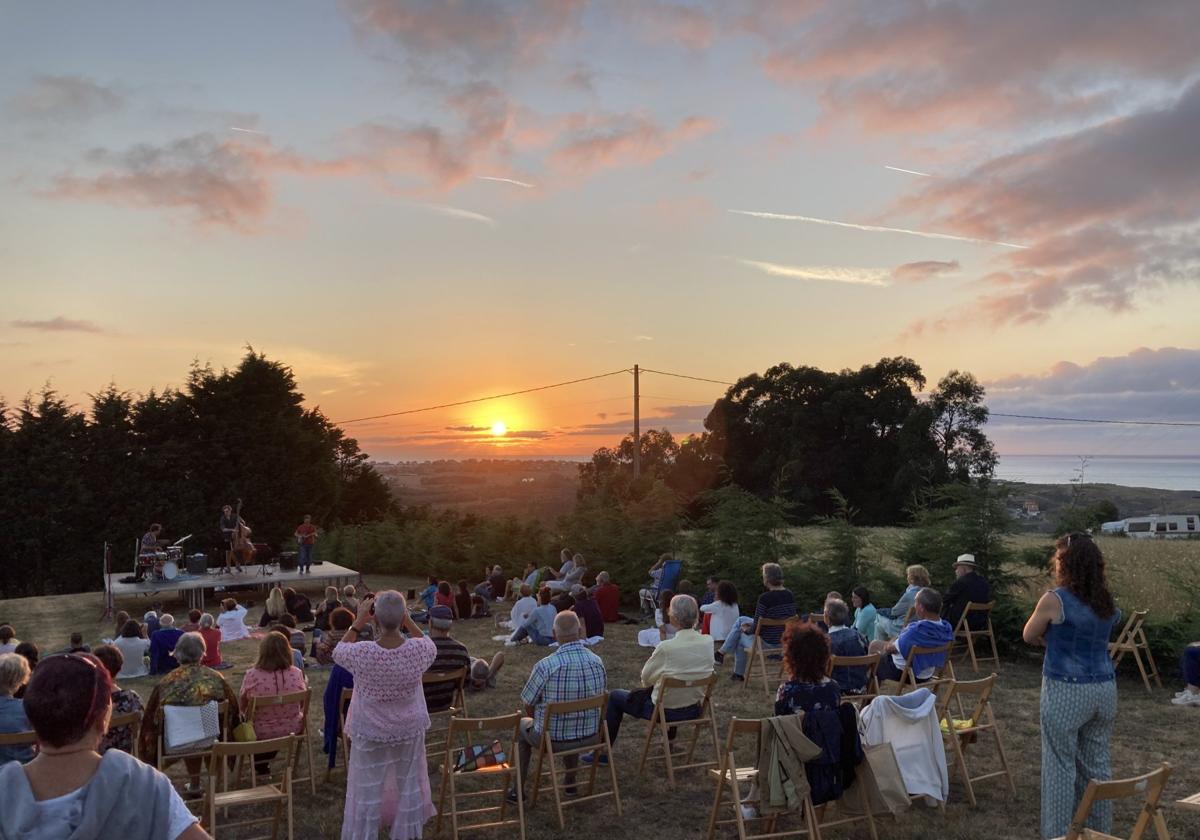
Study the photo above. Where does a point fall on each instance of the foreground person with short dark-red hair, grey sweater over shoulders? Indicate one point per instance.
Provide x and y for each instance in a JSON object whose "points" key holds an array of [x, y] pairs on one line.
{"points": [[70, 790]]}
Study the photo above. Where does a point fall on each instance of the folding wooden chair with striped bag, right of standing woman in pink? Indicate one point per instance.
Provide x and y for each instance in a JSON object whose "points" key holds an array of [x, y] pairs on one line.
{"points": [[508, 772]]}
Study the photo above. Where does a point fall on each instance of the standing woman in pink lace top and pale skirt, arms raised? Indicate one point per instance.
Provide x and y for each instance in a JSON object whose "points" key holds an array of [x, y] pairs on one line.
{"points": [[388, 781]]}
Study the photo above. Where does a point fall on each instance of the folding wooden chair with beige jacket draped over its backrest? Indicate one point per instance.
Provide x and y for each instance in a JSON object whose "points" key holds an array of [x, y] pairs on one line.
{"points": [[736, 783]]}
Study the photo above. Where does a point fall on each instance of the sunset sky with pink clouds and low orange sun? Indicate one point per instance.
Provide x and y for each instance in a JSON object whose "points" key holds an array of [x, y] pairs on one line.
{"points": [[424, 202]]}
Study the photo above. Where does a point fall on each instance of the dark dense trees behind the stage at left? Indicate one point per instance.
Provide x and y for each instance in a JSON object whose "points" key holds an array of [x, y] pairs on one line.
{"points": [[73, 479]]}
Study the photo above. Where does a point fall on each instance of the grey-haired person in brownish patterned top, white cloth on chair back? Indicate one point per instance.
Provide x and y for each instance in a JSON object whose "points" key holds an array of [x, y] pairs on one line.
{"points": [[190, 685]]}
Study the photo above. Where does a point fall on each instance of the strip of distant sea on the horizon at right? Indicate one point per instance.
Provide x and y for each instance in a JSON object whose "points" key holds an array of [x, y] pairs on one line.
{"points": [[1161, 472]]}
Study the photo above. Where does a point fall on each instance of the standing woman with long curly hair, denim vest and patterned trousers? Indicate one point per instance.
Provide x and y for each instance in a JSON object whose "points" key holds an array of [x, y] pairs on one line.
{"points": [[1079, 691]]}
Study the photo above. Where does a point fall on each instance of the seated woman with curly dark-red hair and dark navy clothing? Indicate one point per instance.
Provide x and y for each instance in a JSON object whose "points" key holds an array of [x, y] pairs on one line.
{"points": [[827, 724]]}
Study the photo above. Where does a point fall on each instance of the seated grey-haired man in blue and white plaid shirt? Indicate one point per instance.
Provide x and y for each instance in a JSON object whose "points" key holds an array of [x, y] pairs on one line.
{"points": [[572, 673]]}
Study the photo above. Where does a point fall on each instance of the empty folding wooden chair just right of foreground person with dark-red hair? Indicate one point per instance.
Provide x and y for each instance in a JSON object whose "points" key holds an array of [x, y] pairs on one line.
{"points": [[259, 794]]}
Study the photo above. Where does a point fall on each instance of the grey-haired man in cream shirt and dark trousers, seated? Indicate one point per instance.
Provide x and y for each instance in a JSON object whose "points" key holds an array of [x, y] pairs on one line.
{"points": [[686, 656]]}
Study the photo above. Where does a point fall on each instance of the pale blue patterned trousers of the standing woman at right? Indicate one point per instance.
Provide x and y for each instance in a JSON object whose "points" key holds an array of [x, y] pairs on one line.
{"points": [[1077, 727]]}
